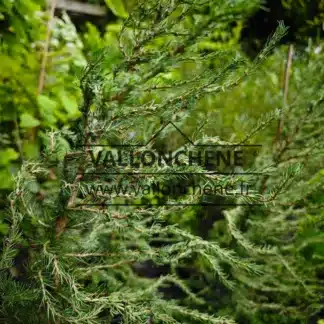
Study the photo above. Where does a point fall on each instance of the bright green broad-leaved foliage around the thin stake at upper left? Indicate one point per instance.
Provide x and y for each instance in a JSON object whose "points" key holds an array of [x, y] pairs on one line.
{"points": [[23, 112]]}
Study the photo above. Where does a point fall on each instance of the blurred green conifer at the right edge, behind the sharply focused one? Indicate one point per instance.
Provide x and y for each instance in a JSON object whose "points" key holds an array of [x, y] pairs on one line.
{"points": [[291, 290]]}
